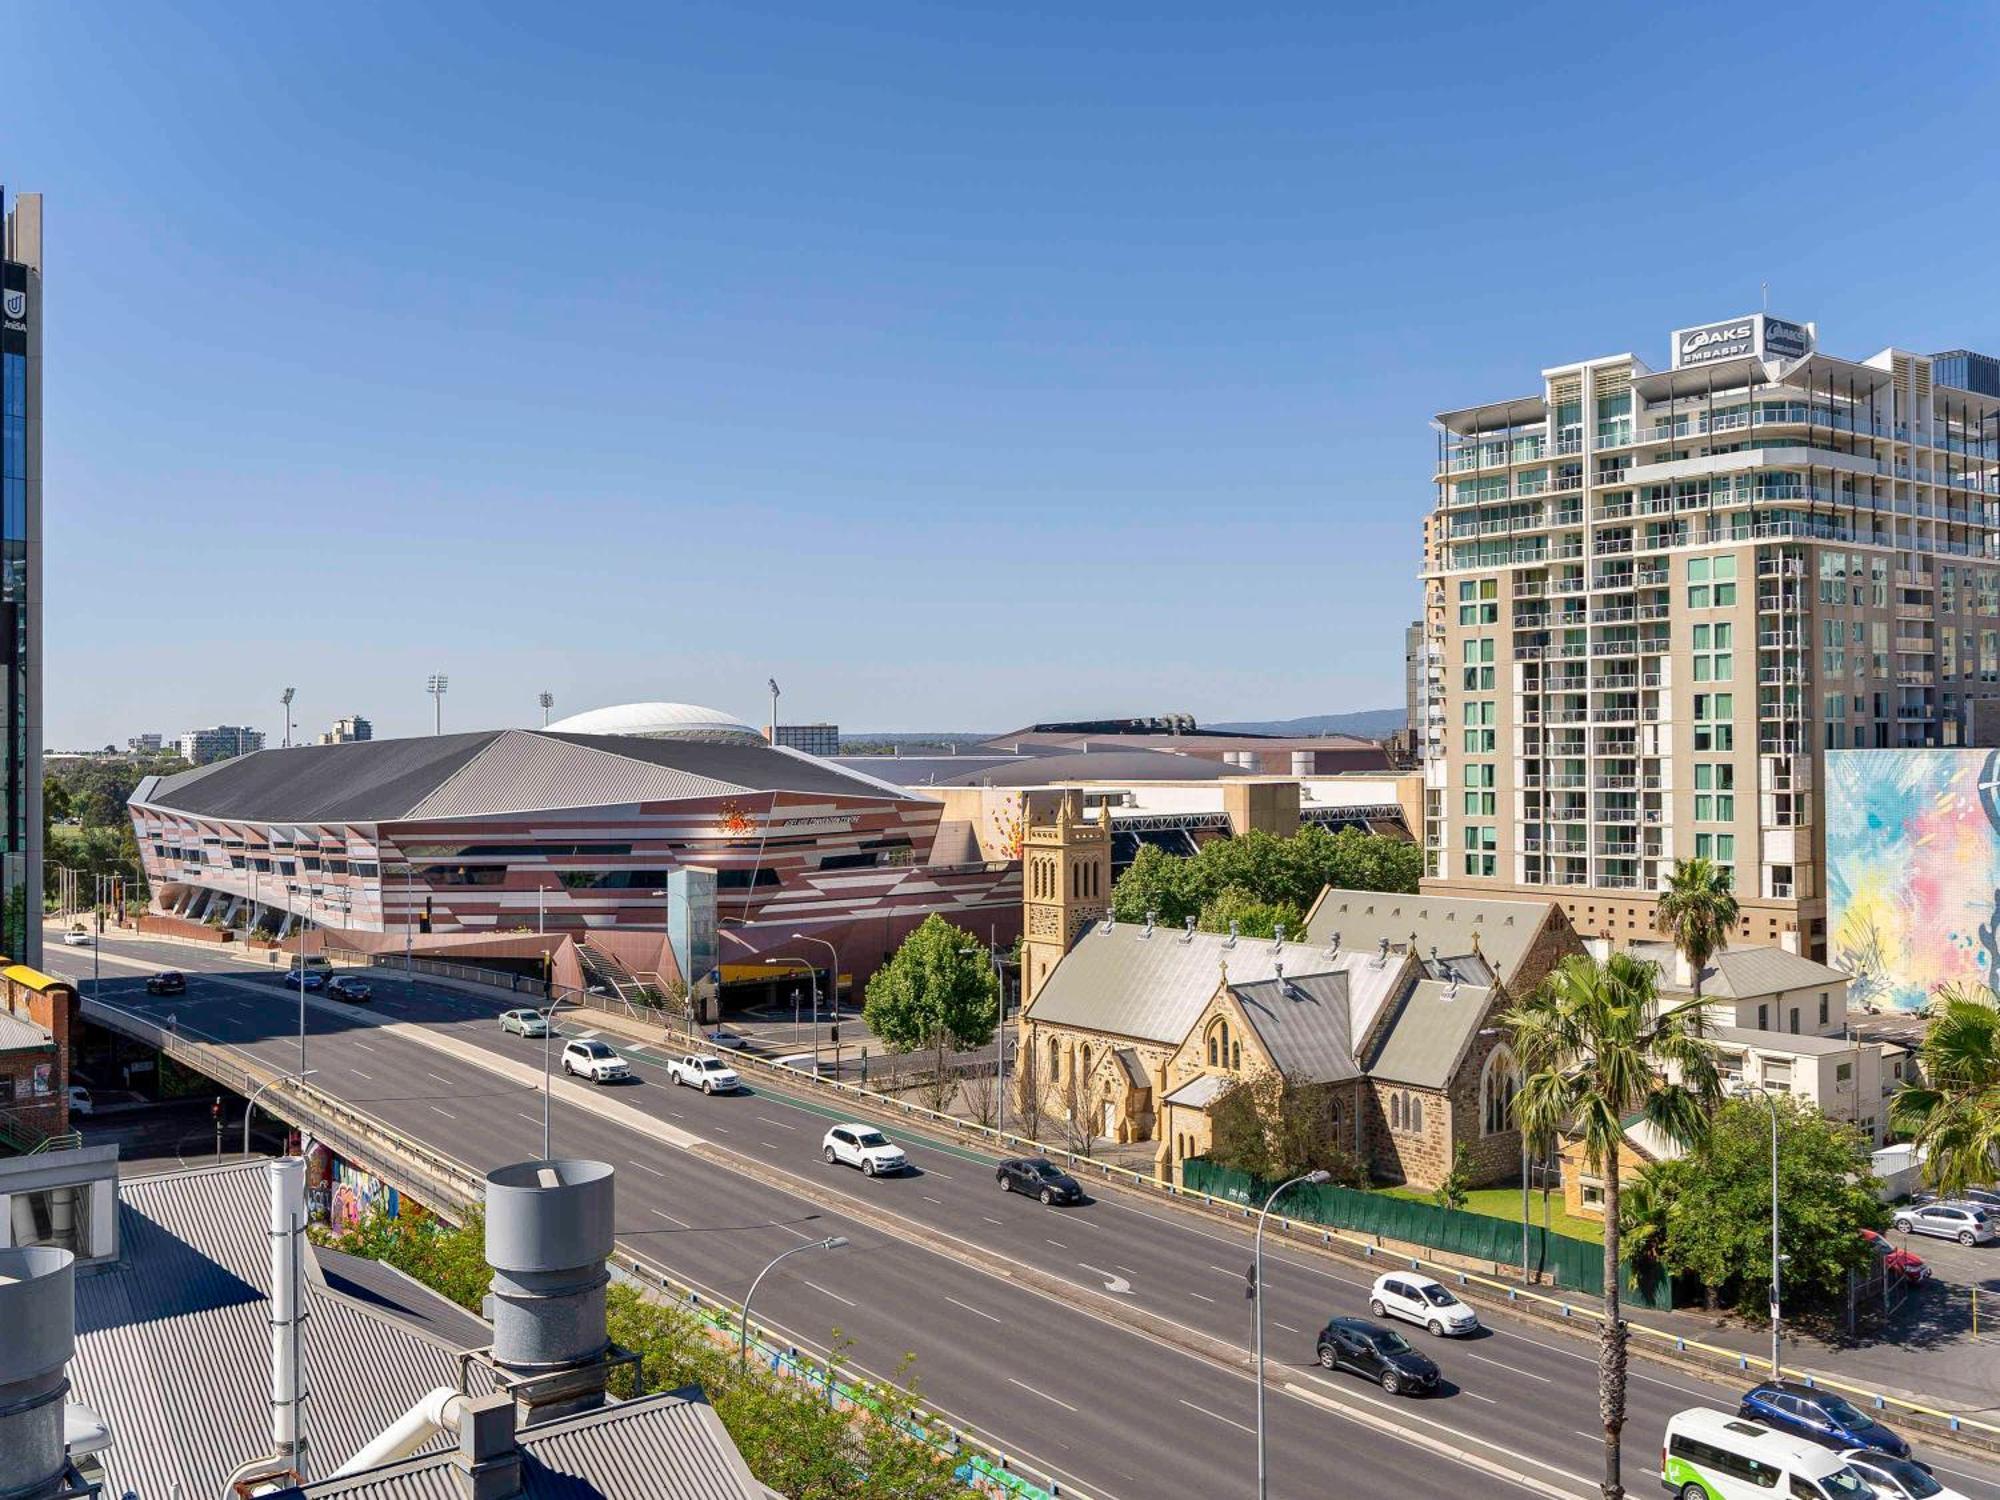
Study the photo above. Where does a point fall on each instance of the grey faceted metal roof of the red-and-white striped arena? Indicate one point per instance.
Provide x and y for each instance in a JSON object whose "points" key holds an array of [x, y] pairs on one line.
{"points": [[489, 773]]}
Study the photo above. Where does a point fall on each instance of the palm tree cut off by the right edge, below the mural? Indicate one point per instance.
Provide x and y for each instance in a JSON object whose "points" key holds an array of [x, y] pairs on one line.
{"points": [[1955, 1113]]}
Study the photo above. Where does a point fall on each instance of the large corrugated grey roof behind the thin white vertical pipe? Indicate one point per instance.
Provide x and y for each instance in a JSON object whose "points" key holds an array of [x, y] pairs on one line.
{"points": [[173, 1341]]}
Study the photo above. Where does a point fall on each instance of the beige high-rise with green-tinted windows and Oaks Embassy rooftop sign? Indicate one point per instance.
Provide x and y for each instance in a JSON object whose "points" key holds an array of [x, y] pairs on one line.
{"points": [[1657, 597]]}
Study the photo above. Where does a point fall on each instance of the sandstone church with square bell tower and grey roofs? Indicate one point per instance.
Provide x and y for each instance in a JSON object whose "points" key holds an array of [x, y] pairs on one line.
{"points": [[1387, 997]]}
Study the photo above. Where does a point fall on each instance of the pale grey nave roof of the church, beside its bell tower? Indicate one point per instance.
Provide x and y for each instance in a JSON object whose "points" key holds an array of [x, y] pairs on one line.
{"points": [[1151, 987]]}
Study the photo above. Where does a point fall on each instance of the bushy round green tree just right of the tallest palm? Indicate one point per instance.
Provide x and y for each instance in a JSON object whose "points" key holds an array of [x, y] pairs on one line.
{"points": [[1719, 1225]]}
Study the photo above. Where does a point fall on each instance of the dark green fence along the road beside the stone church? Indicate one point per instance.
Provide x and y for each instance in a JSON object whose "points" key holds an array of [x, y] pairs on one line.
{"points": [[1575, 1265]]}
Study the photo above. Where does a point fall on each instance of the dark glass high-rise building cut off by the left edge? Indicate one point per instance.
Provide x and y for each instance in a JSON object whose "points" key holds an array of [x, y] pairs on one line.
{"points": [[21, 583]]}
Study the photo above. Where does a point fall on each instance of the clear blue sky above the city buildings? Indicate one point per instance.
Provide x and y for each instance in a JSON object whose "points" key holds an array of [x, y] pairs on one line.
{"points": [[955, 365]]}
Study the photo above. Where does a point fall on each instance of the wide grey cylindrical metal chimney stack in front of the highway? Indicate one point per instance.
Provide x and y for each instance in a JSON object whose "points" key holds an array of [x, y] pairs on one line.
{"points": [[549, 1233]]}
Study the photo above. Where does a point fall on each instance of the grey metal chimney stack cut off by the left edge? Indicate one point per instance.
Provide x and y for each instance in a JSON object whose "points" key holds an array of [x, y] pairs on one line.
{"points": [[39, 1315]]}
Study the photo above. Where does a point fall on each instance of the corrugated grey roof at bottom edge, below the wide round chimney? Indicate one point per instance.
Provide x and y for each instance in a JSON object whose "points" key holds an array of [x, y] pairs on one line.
{"points": [[667, 1447]]}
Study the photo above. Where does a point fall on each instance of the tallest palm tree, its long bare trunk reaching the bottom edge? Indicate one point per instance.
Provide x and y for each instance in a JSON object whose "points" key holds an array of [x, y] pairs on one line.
{"points": [[1597, 1051]]}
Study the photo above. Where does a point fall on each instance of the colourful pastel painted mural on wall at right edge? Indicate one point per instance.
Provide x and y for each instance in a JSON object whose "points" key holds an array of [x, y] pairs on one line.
{"points": [[1913, 871]]}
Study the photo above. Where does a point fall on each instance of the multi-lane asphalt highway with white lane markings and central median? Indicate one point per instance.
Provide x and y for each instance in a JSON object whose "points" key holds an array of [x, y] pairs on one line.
{"points": [[1043, 1355]]}
